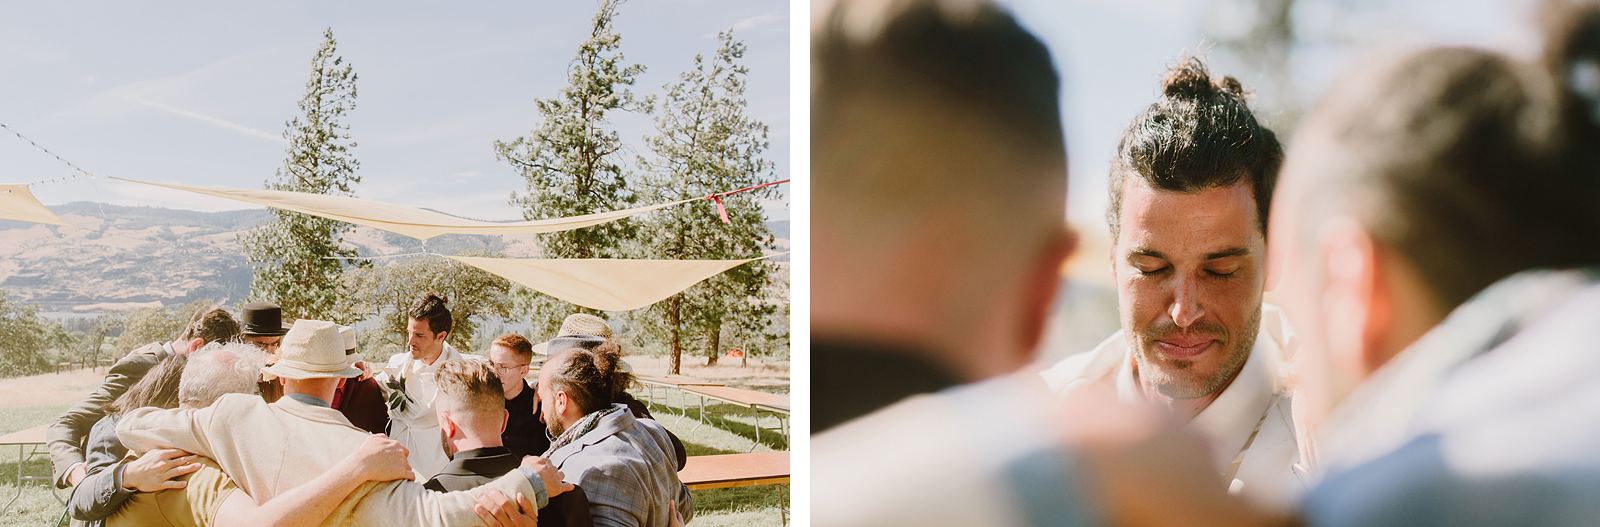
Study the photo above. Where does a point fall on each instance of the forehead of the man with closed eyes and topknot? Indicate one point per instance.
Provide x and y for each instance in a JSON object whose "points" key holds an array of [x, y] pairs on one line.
{"points": [[1209, 223]]}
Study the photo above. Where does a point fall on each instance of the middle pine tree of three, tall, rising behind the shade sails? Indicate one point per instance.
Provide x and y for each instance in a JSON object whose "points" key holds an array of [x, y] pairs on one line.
{"points": [[572, 161]]}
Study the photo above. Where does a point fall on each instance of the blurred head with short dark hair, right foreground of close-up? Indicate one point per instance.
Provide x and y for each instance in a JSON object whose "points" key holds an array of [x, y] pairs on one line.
{"points": [[1418, 183]]}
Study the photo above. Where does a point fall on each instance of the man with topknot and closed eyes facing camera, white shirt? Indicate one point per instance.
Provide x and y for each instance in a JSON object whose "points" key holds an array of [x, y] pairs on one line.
{"points": [[1190, 195]]}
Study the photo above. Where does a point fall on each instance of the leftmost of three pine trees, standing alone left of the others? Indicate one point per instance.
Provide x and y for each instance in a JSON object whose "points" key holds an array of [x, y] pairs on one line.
{"points": [[292, 251]]}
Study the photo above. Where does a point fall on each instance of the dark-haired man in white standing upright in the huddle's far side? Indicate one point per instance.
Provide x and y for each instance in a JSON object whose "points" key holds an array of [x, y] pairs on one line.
{"points": [[412, 420]]}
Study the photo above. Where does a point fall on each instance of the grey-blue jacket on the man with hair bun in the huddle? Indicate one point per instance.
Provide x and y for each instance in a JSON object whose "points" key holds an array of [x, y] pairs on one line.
{"points": [[630, 472]]}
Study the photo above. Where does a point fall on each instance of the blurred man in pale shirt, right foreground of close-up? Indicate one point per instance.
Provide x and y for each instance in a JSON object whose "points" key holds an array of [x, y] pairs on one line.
{"points": [[1436, 233]]}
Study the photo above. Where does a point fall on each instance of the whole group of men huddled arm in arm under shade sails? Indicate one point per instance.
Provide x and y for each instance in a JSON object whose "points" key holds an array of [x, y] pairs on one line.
{"points": [[260, 422]]}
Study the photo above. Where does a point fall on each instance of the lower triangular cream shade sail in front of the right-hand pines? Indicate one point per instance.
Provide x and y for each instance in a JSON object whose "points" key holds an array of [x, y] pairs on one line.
{"points": [[606, 284]]}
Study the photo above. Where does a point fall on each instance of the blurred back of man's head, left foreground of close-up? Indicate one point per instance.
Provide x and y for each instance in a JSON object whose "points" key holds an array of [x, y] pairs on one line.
{"points": [[940, 183]]}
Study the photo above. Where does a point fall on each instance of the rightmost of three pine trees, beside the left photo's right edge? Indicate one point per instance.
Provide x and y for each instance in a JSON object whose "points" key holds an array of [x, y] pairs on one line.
{"points": [[708, 145]]}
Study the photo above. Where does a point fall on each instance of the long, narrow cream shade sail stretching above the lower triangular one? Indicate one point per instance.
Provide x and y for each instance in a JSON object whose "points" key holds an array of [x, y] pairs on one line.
{"points": [[398, 219]]}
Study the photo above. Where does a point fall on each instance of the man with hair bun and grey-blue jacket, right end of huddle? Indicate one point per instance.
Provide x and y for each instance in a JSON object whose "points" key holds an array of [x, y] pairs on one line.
{"points": [[626, 465]]}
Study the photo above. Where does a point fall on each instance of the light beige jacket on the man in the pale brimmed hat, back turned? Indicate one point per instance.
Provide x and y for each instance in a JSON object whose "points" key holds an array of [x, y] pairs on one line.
{"points": [[273, 448]]}
